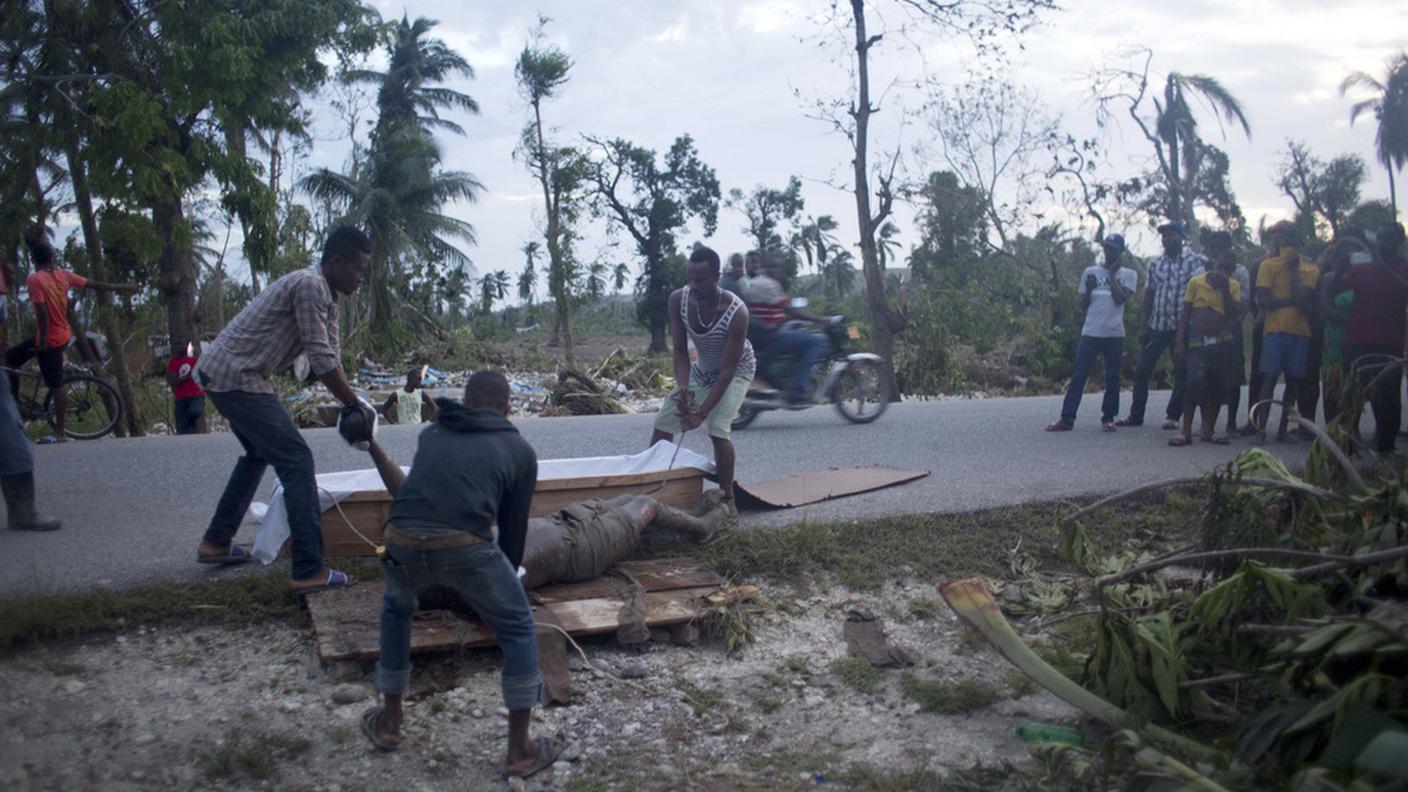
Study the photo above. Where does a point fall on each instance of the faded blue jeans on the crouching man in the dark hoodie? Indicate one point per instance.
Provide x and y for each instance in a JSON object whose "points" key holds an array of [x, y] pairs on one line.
{"points": [[485, 580]]}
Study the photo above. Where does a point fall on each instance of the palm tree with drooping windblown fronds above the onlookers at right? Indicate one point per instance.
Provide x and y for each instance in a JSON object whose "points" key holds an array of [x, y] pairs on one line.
{"points": [[1178, 132]]}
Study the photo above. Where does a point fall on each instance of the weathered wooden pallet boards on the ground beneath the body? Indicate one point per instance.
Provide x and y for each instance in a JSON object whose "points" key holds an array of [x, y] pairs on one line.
{"points": [[346, 622]]}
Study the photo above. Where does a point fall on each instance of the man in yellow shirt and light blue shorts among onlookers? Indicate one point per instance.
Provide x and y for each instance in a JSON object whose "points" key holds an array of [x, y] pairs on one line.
{"points": [[1286, 291]]}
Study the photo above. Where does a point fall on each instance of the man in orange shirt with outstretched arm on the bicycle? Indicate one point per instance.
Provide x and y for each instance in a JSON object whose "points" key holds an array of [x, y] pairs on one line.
{"points": [[50, 297]]}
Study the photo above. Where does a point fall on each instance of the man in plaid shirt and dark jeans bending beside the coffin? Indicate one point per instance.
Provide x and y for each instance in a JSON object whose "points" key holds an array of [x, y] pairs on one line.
{"points": [[296, 314]]}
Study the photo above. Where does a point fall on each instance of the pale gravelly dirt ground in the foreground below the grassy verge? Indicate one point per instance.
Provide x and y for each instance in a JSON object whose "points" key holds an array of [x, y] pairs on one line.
{"points": [[185, 708]]}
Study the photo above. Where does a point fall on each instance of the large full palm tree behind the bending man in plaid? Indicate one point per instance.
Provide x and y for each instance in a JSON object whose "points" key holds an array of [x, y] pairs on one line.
{"points": [[399, 192]]}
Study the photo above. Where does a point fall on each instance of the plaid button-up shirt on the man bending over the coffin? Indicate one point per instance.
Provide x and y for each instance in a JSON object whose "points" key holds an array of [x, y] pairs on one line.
{"points": [[296, 314]]}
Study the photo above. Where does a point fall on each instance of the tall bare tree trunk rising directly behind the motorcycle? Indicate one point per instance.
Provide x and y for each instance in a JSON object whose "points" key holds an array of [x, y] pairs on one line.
{"points": [[885, 321]]}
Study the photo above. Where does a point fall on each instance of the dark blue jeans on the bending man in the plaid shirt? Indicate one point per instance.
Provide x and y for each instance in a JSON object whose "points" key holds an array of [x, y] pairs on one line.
{"points": [[270, 438]]}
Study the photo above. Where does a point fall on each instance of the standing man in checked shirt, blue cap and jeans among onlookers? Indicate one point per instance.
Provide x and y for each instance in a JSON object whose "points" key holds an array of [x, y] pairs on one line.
{"points": [[1168, 278]]}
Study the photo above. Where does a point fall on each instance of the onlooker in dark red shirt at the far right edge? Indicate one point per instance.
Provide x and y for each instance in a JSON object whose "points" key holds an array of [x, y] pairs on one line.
{"points": [[1375, 333]]}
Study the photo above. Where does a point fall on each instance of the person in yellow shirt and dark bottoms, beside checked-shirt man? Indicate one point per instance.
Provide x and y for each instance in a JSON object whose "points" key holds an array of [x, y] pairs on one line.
{"points": [[1207, 340]]}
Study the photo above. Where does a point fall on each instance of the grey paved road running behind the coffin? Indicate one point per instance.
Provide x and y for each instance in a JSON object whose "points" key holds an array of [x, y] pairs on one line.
{"points": [[134, 509]]}
